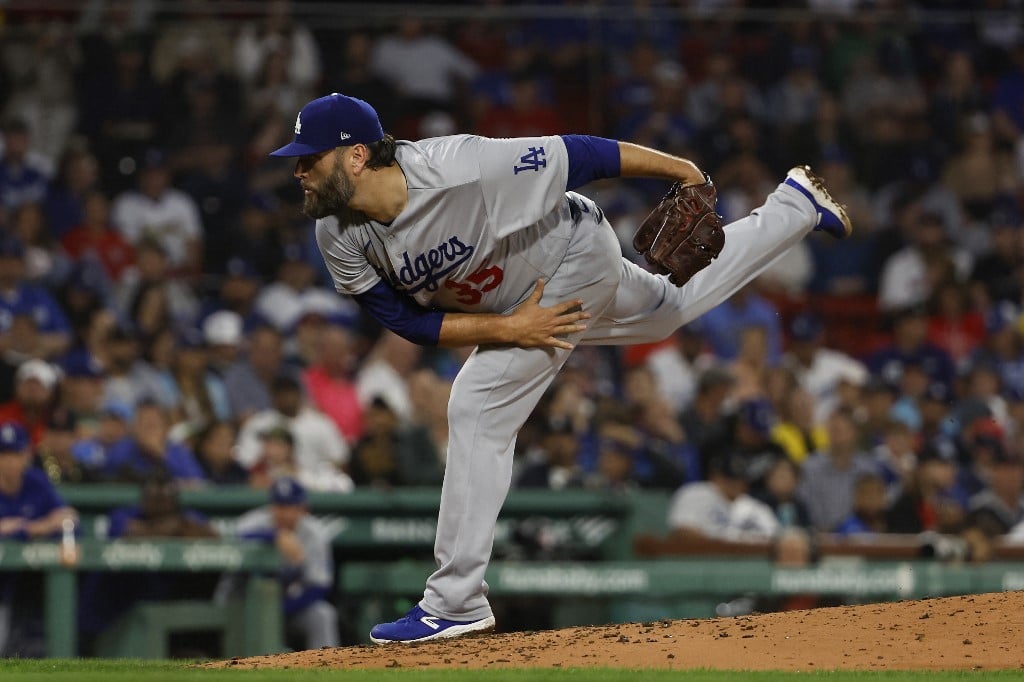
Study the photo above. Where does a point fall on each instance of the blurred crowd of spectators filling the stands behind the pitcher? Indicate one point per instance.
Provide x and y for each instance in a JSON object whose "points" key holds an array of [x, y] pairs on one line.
{"points": [[164, 310]]}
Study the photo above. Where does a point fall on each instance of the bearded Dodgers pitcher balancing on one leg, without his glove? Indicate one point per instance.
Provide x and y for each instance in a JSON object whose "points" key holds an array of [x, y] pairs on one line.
{"points": [[470, 241]]}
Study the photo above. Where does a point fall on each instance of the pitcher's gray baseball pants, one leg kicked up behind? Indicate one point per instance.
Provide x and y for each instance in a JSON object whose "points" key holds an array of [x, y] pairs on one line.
{"points": [[498, 389]]}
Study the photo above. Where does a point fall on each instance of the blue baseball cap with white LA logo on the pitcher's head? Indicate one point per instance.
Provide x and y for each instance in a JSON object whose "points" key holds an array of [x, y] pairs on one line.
{"points": [[333, 121]]}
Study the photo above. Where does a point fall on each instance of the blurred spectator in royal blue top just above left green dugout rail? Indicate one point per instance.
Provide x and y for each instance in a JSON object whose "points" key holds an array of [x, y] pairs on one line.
{"points": [[148, 452]]}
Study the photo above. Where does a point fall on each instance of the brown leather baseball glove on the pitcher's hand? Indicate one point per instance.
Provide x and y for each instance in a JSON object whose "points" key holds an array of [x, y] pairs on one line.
{"points": [[684, 234]]}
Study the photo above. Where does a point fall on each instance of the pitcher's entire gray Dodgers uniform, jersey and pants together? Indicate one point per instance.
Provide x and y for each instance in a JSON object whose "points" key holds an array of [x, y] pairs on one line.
{"points": [[486, 220]]}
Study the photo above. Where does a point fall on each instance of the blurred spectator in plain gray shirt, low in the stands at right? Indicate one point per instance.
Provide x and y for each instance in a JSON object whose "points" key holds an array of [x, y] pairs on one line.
{"points": [[829, 477]]}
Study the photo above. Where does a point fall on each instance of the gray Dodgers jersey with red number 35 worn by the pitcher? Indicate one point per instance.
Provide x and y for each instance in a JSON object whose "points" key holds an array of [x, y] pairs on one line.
{"points": [[485, 220]]}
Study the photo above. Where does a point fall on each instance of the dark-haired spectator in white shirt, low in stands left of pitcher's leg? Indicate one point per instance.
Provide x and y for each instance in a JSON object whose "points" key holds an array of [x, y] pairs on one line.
{"points": [[320, 449]]}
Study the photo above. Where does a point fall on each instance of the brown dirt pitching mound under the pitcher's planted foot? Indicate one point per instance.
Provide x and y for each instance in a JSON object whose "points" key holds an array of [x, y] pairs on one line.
{"points": [[954, 633]]}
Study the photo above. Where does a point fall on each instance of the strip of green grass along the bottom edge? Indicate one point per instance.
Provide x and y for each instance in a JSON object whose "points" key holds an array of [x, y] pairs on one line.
{"points": [[102, 671]]}
